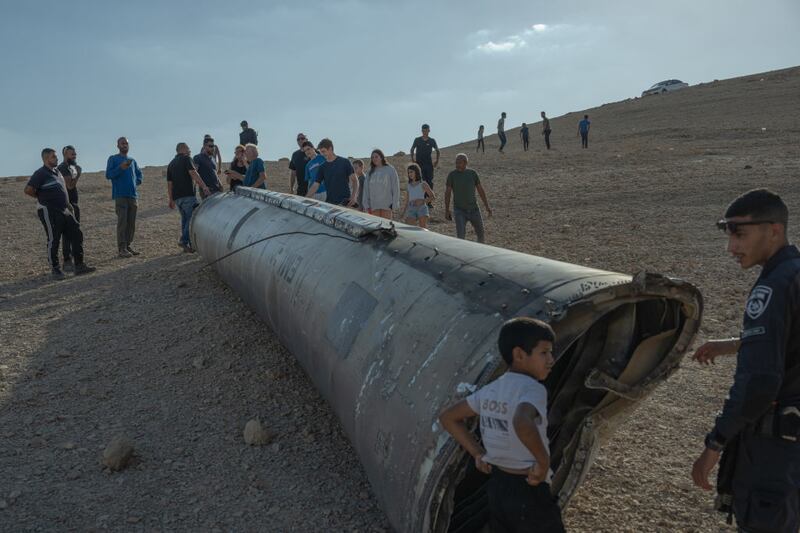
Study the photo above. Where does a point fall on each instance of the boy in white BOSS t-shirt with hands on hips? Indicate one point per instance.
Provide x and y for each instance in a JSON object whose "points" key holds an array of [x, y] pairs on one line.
{"points": [[513, 424]]}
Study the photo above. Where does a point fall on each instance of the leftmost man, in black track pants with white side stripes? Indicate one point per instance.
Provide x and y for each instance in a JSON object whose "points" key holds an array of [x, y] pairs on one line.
{"points": [[47, 186]]}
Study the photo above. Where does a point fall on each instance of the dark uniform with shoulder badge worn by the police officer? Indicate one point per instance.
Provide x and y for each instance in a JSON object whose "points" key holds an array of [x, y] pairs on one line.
{"points": [[763, 406]]}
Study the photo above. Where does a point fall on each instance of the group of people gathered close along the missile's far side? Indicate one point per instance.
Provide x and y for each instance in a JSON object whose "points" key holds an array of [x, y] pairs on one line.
{"points": [[318, 172]]}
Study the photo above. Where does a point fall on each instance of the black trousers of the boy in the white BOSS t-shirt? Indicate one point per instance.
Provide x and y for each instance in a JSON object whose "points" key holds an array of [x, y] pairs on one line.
{"points": [[516, 507]]}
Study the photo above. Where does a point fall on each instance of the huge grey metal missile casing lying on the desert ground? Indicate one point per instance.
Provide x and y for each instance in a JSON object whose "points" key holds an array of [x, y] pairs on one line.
{"points": [[393, 323]]}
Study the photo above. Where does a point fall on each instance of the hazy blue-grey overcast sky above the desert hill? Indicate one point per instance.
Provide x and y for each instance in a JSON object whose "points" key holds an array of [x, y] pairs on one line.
{"points": [[364, 73]]}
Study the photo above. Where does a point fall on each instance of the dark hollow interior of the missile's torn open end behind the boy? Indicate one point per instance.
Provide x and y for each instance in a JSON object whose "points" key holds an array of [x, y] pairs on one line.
{"points": [[627, 343]]}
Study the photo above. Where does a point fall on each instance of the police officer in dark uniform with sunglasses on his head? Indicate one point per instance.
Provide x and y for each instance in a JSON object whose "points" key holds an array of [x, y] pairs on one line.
{"points": [[761, 417]]}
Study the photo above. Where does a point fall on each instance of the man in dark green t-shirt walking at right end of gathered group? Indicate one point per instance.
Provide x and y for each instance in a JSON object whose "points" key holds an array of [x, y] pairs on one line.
{"points": [[461, 185]]}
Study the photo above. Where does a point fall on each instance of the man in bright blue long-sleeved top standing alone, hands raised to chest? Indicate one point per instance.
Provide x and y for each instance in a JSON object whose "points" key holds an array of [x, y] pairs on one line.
{"points": [[125, 176]]}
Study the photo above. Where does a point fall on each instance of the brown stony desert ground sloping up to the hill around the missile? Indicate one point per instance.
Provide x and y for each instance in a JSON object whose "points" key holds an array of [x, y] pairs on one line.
{"points": [[163, 351]]}
